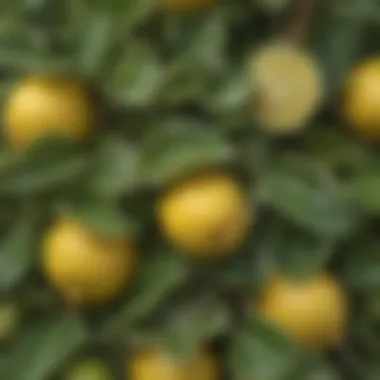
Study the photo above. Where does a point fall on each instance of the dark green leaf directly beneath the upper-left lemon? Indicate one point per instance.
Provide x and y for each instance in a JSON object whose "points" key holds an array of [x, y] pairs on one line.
{"points": [[44, 166]]}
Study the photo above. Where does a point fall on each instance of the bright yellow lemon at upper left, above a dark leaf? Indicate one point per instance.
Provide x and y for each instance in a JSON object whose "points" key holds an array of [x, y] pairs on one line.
{"points": [[47, 105]]}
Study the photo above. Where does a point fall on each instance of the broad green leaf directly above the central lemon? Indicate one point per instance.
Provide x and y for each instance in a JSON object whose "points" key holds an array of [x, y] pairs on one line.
{"points": [[179, 148]]}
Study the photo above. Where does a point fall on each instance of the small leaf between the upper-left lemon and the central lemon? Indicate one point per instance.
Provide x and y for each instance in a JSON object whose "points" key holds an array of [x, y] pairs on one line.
{"points": [[115, 168]]}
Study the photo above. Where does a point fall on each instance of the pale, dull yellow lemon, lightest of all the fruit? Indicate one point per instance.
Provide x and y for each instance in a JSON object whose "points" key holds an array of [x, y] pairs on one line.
{"points": [[289, 87]]}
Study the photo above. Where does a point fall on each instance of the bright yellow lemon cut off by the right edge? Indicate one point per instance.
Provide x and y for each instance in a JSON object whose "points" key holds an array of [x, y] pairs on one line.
{"points": [[362, 99]]}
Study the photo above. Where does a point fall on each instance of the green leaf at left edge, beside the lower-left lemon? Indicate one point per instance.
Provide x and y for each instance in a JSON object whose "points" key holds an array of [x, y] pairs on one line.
{"points": [[17, 252]]}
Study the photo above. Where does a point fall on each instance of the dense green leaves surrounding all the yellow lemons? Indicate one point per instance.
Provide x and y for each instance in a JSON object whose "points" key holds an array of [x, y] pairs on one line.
{"points": [[174, 90]]}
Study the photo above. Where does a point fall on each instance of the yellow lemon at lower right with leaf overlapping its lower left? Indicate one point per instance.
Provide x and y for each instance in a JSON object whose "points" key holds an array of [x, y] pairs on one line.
{"points": [[314, 312]]}
